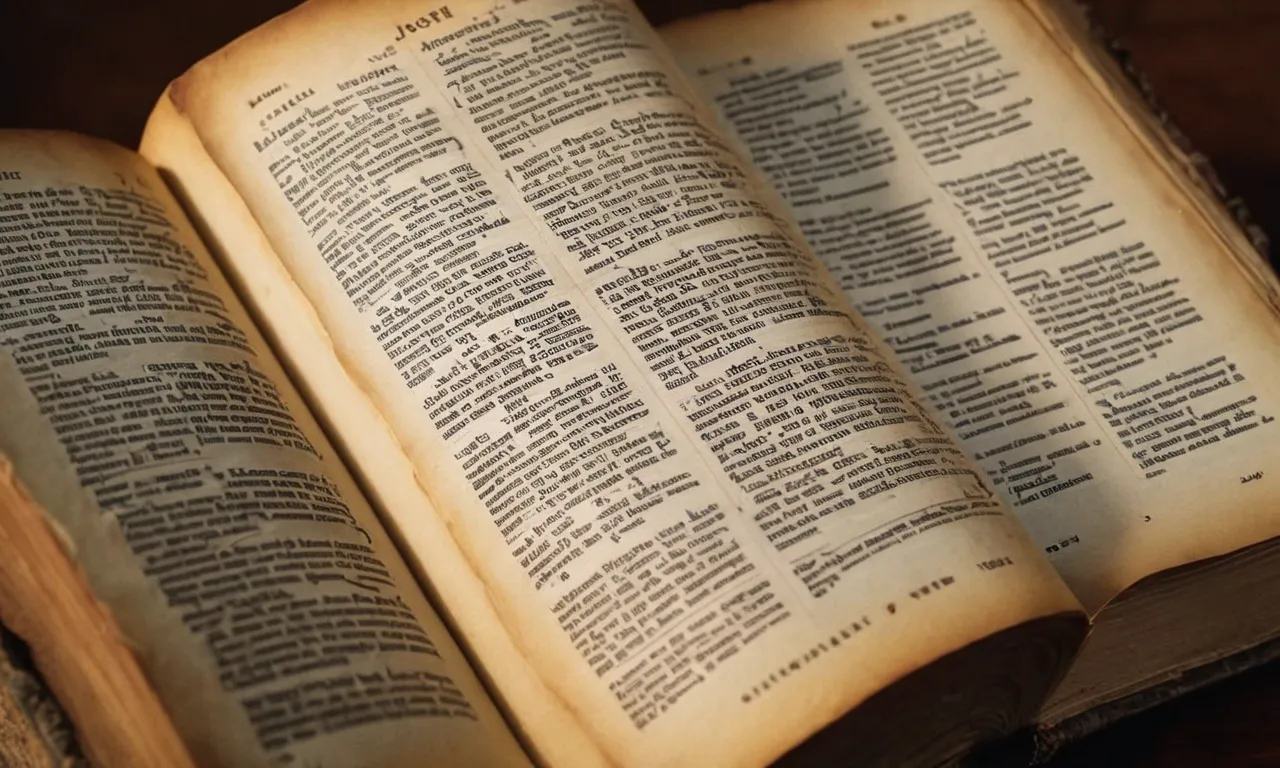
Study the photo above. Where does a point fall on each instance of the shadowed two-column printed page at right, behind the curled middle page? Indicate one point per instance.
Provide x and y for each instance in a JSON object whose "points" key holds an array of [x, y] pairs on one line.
{"points": [[1072, 316]]}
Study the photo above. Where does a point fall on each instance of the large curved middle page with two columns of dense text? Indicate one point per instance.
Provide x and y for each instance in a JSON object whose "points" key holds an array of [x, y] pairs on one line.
{"points": [[707, 510]]}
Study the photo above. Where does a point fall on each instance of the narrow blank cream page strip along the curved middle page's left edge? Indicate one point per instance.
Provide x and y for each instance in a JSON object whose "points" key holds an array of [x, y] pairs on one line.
{"points": [[368, 442]]}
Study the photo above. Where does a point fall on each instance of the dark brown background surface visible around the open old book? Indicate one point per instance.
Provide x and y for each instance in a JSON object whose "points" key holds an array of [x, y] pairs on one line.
{"points": [[98, 67]]}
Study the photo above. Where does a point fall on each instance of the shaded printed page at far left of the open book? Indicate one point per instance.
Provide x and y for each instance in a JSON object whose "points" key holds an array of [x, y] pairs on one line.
{"points": [[144, 413]]}
